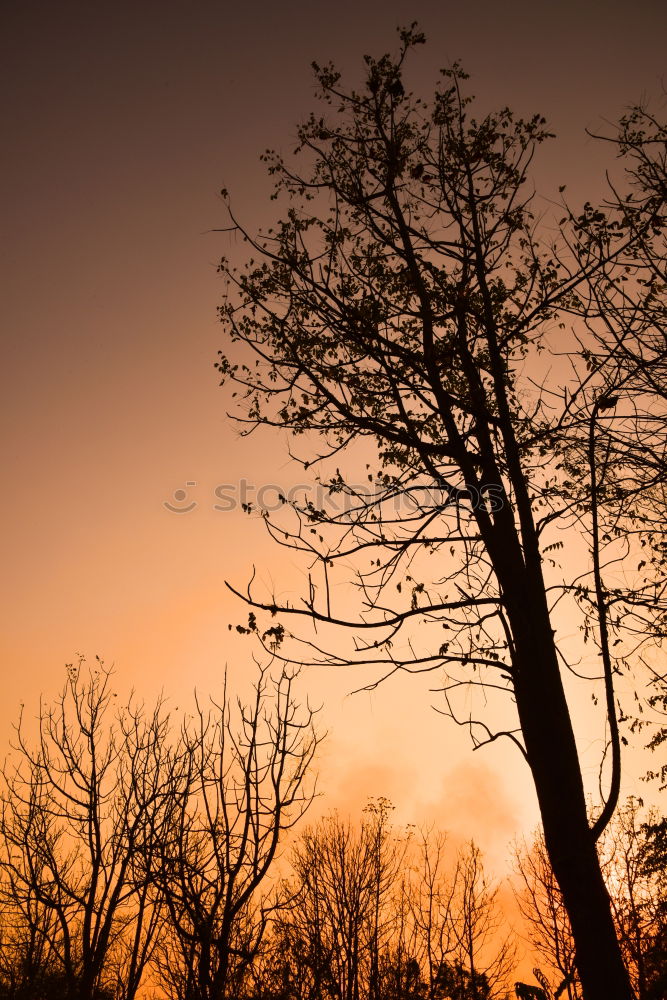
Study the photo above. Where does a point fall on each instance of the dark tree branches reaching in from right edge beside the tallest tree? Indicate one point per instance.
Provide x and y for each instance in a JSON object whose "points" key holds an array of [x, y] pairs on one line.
{"points": [[625, 312]]}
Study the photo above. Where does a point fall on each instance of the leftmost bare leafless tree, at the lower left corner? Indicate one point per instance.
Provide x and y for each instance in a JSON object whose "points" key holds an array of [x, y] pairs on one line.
{"points": [[81, 809]]}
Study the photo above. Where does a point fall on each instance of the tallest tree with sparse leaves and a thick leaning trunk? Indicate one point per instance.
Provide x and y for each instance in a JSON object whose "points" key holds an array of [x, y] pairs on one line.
{"points": [[404, 301]]}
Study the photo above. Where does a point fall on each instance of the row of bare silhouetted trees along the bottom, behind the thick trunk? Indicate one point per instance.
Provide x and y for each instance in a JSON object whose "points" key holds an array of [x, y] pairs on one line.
{"points": [[144, 857]]}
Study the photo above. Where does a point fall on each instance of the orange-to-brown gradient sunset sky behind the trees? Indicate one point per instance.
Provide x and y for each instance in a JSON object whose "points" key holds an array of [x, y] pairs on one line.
{"points": [[122, 122]]}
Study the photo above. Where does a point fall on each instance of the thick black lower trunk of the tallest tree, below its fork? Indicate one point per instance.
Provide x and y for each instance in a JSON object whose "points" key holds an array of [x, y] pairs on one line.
{"points": [[553, 759]]}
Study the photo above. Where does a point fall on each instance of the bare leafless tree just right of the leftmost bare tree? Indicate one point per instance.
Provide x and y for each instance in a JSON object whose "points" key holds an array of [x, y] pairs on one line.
{"points": [[246, 786]]}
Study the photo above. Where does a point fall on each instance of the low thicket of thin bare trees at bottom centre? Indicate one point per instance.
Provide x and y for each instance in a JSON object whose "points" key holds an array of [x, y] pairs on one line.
{"points": [[373, 913]]}
